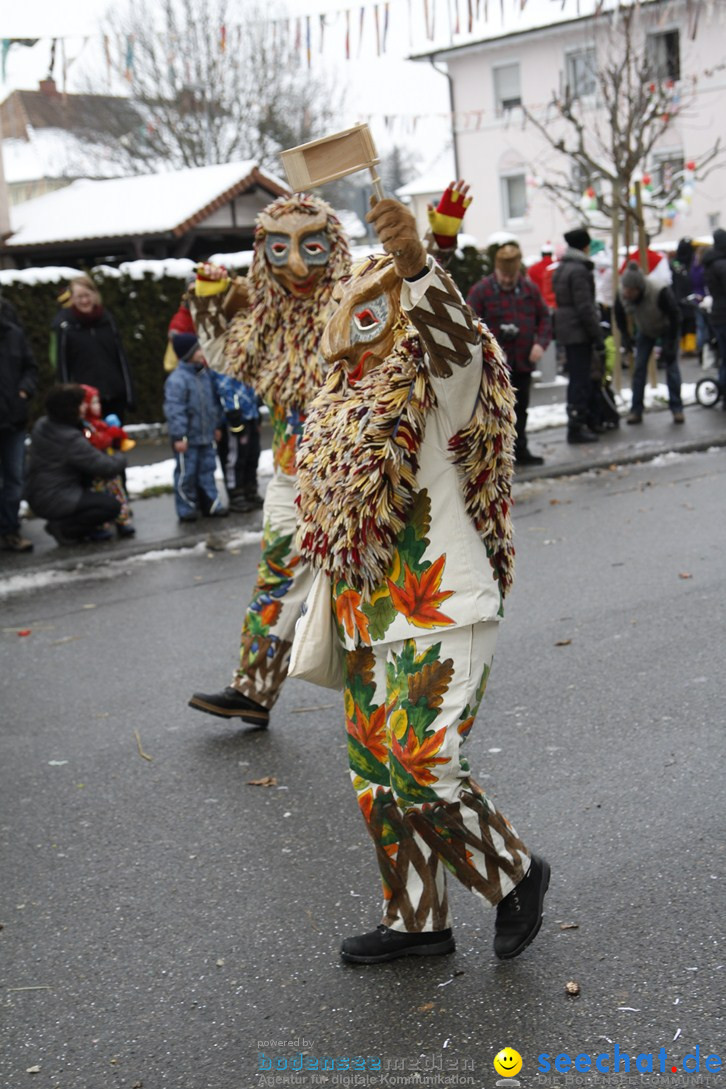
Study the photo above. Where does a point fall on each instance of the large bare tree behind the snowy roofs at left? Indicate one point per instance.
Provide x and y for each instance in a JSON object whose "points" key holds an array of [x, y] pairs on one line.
{"points": [[215, 81]]}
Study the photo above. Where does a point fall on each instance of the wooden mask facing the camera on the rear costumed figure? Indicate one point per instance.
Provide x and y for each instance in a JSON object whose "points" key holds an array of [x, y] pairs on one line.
{"points": [[298, 250]]}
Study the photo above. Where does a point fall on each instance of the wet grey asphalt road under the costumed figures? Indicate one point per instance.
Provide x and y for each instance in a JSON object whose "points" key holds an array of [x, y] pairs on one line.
{"points": [[165, 922]]}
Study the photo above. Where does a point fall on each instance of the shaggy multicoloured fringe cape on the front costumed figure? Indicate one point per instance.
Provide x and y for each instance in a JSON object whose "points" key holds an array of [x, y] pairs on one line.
{"points": [[359, 462]]}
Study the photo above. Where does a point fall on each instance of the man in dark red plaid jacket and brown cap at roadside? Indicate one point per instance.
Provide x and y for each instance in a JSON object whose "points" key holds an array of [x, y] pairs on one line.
{"points": [[515, 312]]}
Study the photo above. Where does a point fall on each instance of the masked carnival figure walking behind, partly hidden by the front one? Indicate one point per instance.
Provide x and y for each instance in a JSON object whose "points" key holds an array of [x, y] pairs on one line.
{"points": [[266, 331]]}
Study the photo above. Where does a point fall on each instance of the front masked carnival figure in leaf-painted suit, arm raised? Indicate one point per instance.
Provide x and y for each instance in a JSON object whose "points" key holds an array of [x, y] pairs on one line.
{"points": [[405, 475]]}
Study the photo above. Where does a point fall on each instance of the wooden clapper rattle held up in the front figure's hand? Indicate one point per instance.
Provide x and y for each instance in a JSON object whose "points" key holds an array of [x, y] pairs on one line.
{"points": [[333, 157]]}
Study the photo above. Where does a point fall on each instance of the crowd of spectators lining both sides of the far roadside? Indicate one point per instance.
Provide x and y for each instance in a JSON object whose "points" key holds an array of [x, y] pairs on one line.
{"points": [[75, 475]]}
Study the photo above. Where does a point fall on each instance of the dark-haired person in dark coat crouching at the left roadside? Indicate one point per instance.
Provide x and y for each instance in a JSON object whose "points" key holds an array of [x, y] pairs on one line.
{"points": [[63, 467]]}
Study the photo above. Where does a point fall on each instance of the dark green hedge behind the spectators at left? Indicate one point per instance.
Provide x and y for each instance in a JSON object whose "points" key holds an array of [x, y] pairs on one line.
{"points": [[142, 310]]}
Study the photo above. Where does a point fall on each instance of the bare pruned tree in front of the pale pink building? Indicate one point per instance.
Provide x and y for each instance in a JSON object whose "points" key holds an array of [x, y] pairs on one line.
{"points": [[610, 121]]}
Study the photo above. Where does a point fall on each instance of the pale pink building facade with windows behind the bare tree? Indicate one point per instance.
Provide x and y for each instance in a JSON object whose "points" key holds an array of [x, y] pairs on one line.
{"points": [[504, 157]]}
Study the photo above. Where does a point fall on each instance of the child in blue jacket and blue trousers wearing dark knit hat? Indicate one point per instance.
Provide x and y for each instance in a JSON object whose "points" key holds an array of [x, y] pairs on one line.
{"points": [[195, 422]]}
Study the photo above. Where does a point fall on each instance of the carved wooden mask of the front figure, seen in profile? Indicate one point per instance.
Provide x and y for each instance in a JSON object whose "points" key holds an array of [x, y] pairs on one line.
{"points": [[363, 331]]}
